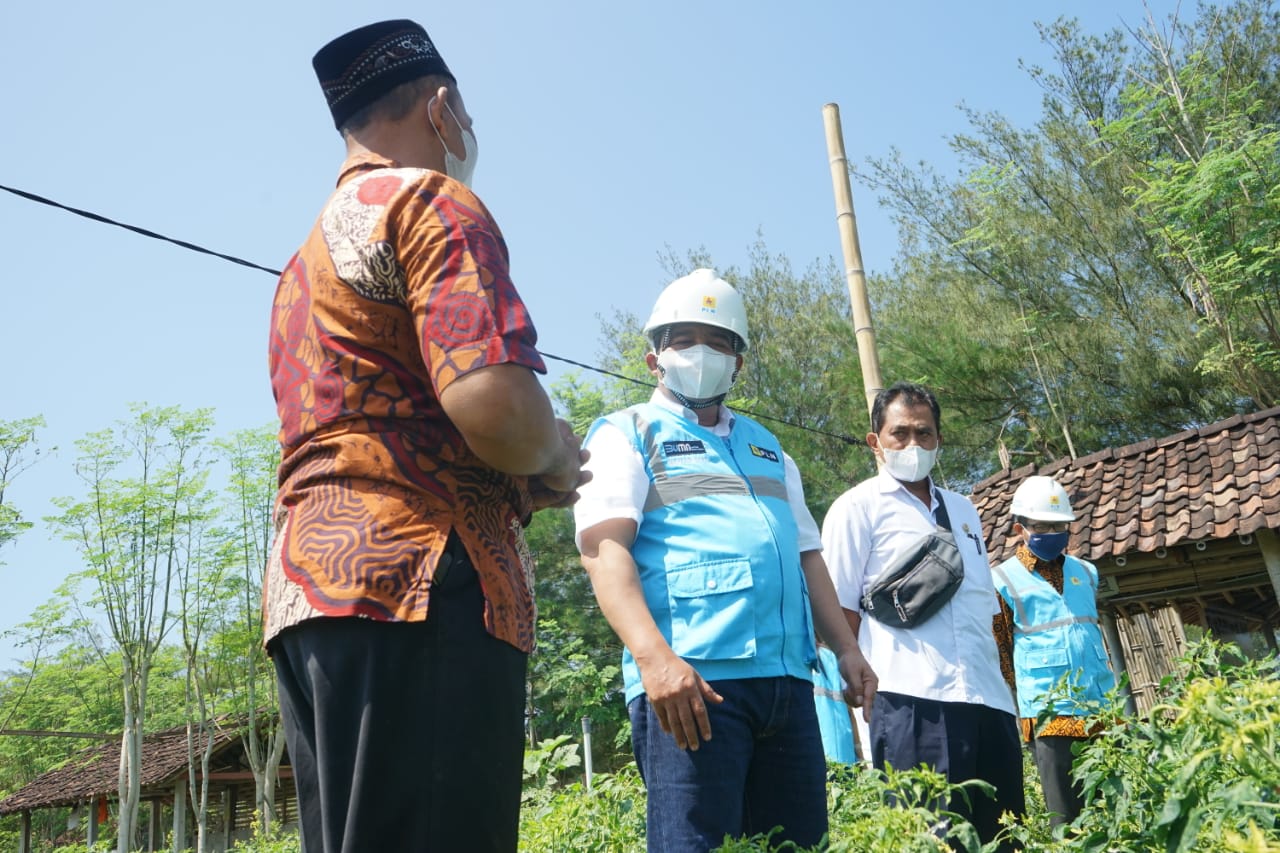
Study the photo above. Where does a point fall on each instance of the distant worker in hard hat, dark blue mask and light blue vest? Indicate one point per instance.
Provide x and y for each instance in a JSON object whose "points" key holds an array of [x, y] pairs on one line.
{"points": [[1048, 631]]}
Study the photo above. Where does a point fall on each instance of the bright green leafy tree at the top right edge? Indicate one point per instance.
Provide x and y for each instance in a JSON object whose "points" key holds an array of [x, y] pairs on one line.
{"points": [[1199, 140]]}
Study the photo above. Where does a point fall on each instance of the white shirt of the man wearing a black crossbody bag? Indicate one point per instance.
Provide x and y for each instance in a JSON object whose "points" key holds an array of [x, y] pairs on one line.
{"points": [[952, 656]]}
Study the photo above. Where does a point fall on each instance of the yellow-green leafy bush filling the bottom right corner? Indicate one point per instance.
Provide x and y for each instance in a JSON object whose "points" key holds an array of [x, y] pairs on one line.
{"points": [[1201, 773]]}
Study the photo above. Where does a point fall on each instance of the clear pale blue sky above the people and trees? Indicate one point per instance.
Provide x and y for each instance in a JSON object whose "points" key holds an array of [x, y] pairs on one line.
{"points": [[610, 134]]}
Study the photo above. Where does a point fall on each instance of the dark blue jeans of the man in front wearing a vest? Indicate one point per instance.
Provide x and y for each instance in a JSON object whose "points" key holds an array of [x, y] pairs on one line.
{"points": [[764, 768]]}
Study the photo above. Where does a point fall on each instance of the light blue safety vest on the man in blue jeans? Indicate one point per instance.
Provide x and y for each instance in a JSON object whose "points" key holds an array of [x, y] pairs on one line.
{"points": [[717, 549]]}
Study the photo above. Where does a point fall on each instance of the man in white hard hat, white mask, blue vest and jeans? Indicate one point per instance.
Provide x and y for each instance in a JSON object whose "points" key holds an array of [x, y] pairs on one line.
{"points": [[708, 567]]}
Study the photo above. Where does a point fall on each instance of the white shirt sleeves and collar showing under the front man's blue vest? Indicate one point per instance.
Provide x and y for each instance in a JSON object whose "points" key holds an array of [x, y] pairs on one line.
{"points": [[620, 481]]}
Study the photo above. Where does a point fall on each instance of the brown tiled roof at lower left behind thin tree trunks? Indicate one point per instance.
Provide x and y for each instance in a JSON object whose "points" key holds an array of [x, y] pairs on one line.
{"points": [[95, 772]]}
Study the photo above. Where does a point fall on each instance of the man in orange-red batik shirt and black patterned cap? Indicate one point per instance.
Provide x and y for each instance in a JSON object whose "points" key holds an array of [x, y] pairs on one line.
{"points": [[417, 444]]}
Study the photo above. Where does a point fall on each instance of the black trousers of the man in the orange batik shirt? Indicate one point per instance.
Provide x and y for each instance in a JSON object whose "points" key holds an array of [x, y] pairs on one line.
{"points": [[405, 736]]}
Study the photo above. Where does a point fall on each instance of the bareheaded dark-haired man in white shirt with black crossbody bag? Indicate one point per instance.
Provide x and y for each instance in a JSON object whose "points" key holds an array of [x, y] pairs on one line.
{"points": [[943, 700]]}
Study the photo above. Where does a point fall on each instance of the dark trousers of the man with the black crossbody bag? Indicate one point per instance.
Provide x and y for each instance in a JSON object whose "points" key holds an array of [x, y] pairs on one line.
{"points": [[962, 742]]}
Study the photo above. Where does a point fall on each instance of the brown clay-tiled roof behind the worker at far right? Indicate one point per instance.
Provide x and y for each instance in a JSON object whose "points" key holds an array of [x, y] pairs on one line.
{"points": [[1203, 485]]}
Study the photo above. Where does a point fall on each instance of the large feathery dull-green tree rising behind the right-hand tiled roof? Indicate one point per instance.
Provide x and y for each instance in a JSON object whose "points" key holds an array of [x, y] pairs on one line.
{"points": [[1039, 293]]}
